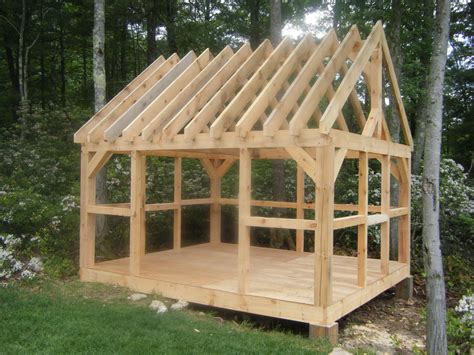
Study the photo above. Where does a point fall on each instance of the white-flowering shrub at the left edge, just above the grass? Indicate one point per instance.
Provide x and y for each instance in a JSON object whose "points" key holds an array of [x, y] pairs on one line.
{"points": [[13, 263]]}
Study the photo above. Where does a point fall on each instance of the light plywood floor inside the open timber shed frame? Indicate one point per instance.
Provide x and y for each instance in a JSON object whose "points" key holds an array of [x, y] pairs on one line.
{"points": [[277, 274]]}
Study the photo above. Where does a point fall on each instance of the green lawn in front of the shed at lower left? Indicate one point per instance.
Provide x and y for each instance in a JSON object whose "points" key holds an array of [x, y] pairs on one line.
{"points": [[72, 317]]}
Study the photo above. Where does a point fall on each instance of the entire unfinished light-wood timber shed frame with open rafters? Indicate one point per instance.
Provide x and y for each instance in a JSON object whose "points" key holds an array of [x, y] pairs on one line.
{"points": [[261, 104]]}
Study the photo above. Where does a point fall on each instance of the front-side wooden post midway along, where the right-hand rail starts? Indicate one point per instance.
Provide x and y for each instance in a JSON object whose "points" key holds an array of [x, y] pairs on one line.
{"points": [[245, 173]]}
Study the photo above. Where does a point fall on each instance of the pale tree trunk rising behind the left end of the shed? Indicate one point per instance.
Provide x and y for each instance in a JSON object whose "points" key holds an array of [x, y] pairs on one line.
{"points": [[98, 40]]}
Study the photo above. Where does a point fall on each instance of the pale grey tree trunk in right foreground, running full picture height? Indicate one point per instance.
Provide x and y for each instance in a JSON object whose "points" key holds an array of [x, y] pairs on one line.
{"points": [[433, 106]]}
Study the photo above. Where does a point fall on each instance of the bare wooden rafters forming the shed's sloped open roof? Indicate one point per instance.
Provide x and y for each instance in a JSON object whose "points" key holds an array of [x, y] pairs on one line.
{"points": [[264, 90]]}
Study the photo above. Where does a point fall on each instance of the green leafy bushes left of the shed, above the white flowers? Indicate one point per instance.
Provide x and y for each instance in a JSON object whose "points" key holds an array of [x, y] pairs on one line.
{"points": [[39, 184]]}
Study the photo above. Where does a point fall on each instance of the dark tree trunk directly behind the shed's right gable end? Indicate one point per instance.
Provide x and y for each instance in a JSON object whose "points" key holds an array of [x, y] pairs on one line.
{"points": [[394, 122]]}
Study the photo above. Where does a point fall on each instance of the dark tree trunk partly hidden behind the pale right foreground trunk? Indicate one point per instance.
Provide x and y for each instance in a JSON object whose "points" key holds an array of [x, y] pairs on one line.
{"points": [[420, 116]]}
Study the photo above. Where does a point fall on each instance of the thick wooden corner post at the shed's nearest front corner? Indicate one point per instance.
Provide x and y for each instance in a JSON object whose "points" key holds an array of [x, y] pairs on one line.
{"points": [[324, 225]]}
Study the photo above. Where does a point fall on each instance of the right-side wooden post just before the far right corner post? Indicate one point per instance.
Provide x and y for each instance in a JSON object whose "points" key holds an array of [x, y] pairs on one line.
{"points": [[385, 209]]}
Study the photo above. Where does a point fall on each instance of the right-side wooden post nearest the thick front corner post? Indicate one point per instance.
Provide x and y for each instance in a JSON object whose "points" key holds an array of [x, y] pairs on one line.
{"points": [[362, 228]]}
